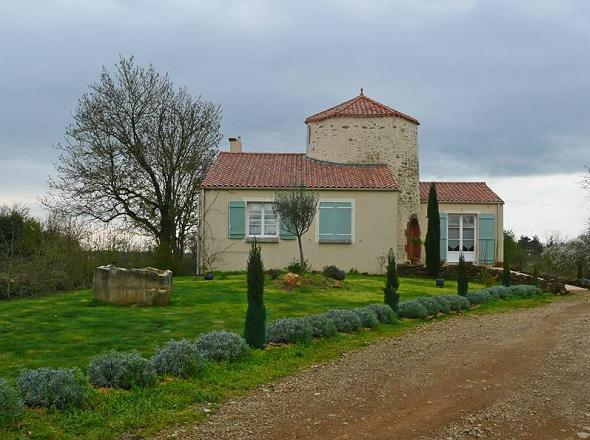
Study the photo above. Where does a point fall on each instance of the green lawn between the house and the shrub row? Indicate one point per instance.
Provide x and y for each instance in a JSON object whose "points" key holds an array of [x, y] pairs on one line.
{"points": [[68, 329]]}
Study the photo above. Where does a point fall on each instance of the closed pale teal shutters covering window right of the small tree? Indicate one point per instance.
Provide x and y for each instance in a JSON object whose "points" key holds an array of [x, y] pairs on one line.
{"points": [[335, 222]]}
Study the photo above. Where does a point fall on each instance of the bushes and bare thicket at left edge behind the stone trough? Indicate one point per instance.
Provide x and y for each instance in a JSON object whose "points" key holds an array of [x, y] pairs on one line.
{"points": [[60, 253]]}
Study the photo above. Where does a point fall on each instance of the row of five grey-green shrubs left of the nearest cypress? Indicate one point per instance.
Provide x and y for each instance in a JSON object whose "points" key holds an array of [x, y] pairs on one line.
{"points": [[61, 388]]}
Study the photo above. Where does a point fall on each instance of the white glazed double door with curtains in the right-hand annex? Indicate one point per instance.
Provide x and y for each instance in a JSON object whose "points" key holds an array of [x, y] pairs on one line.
{"points": [[461, 237]]}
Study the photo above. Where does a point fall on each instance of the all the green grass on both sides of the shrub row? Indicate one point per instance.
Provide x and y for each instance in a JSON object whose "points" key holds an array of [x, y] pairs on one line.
{"points": [[69, 329]]}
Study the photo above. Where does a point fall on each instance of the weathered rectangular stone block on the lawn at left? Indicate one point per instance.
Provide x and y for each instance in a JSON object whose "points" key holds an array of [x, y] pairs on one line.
{"points": [[139, 287]]}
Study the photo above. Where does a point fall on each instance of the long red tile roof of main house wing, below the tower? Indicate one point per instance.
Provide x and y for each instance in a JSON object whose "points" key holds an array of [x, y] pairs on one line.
{"points": [[281, 170]]}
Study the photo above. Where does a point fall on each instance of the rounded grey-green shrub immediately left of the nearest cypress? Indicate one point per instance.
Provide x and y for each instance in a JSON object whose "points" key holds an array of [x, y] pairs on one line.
{"points": [[221, 345]]}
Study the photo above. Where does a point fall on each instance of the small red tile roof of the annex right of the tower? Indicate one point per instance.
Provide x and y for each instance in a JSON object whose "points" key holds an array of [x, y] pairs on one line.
{"points": [[461, 192]]}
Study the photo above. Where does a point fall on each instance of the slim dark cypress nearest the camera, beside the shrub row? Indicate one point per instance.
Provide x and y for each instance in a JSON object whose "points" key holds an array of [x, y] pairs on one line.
{"points": [[255, 326]]}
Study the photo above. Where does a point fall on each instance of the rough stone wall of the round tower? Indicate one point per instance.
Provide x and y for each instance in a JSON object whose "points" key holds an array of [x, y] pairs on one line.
{"points": [[389, 140]]}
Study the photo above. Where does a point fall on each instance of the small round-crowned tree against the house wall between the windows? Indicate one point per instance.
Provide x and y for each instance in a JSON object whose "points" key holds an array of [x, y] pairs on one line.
{"points": [[296, 208]]}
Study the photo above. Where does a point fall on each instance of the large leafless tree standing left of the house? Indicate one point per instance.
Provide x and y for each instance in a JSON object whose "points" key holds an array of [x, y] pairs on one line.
{"points": [[137, 151]]}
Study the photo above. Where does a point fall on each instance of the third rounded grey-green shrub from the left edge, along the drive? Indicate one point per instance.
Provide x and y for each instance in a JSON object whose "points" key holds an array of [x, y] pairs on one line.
{"points": [[121, 370]]}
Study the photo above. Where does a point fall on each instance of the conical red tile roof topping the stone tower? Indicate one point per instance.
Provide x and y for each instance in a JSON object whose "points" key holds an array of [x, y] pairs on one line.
{"points": [[360, 107]]}
